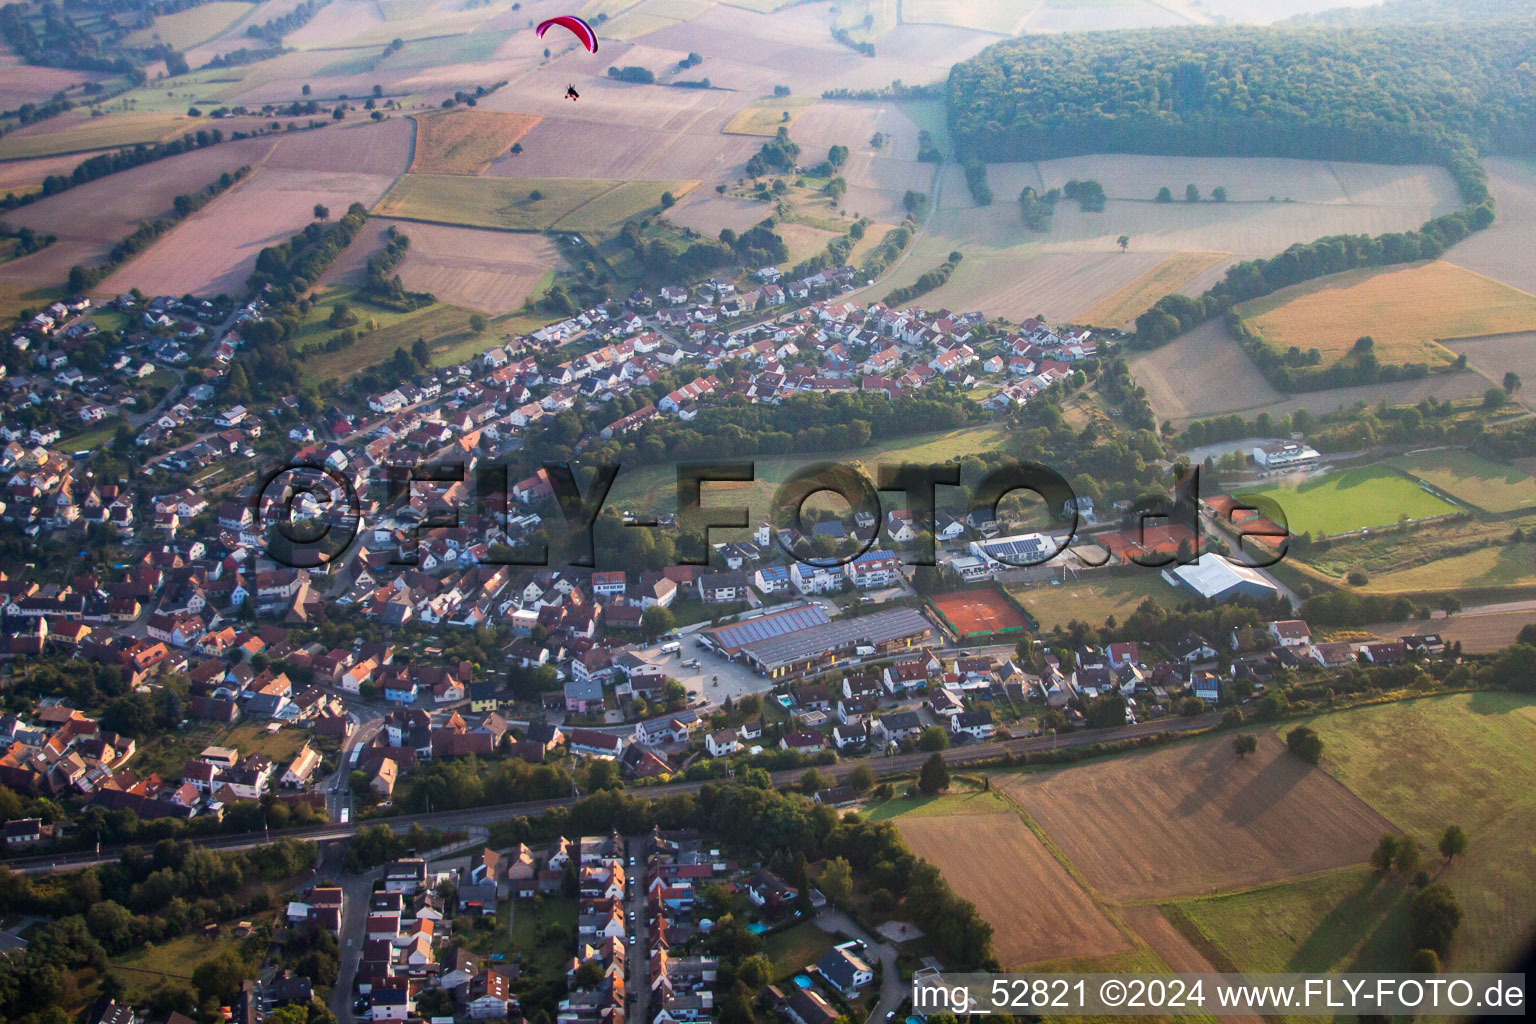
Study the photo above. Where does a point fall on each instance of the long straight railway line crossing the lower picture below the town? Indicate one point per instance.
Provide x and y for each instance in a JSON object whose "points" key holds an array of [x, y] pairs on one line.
{"points": [[471, 818]]}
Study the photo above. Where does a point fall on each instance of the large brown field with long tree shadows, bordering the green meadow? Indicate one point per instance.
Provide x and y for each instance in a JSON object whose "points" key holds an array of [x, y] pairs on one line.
{"points": [[1203, 819]]}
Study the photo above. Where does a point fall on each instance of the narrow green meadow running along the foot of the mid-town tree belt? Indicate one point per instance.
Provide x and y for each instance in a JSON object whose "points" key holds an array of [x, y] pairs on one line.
{"points": [[655, 487]]}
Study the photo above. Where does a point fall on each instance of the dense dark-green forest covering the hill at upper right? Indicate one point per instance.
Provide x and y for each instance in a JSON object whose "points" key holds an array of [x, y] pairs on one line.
{"points": [[1385, 94]]}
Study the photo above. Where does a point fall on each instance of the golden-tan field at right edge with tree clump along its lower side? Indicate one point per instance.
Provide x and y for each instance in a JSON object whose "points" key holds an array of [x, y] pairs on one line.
{"points": [[1406, 311]]}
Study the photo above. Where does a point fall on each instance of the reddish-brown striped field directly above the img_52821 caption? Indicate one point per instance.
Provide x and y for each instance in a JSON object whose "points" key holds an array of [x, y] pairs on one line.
{"points": [[1036, 910]]}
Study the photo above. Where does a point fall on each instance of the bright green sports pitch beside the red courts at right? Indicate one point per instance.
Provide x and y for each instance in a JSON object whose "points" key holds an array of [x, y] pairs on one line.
{"points": [[1356, 500]]}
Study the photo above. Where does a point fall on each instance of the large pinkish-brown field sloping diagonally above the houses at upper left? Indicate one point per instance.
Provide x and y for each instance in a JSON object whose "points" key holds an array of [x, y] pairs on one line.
{"points": [[216, 249]]}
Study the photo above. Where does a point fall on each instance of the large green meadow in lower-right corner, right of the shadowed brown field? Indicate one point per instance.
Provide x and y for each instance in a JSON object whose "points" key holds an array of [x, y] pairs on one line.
{"points": [[1463, 759]]}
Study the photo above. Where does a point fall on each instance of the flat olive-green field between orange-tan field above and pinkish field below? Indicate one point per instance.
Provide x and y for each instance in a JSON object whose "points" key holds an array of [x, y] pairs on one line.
{"points": [[509, 205]]}
